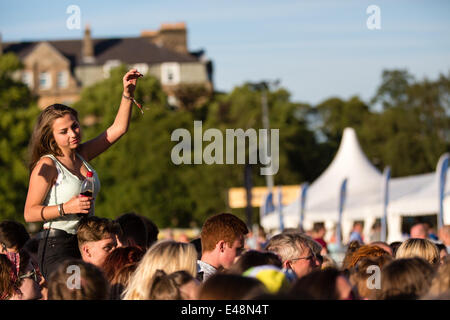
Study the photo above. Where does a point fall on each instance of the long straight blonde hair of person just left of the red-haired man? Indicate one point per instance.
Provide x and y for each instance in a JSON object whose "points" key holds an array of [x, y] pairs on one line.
{"points": [[168, 256]]}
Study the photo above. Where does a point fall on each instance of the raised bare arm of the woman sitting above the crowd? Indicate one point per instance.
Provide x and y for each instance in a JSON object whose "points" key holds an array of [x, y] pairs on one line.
{"points": [[92, 148]]}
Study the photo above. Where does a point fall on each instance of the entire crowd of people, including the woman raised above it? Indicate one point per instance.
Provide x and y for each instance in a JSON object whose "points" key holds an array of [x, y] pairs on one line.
{"points": [[80, 256]]}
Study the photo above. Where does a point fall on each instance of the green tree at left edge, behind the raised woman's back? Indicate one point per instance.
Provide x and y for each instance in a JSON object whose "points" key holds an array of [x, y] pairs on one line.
{"points": [[18, 112]]}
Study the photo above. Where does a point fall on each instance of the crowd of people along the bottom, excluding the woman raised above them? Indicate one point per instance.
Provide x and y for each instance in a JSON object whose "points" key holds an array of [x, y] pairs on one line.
{"points": [[127, 259]]}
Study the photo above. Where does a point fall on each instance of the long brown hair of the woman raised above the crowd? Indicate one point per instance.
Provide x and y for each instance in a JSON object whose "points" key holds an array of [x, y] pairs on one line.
{"points": [[42, 141]]}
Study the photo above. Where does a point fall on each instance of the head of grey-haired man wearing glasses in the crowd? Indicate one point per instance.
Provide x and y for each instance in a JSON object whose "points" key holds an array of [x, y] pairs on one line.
{"points": [[297, 251]]}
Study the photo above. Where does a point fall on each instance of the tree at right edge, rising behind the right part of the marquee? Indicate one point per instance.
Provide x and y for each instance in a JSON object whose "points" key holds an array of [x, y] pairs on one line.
{"points": [[412, 132]]}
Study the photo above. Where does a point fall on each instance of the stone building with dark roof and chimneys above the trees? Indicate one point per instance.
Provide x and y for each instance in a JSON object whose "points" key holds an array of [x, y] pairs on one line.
{"points": [[56, 71]]}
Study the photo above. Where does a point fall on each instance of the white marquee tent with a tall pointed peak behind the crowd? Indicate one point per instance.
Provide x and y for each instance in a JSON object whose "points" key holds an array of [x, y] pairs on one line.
{"points": [[408, 196]]}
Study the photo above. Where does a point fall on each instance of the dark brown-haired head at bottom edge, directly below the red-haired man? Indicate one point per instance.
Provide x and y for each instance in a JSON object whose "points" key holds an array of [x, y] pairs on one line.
{"points": [[222, 286]]}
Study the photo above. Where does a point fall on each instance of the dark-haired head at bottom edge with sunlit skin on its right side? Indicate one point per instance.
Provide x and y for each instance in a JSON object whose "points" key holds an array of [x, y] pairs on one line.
{"points": [[328, 284]]}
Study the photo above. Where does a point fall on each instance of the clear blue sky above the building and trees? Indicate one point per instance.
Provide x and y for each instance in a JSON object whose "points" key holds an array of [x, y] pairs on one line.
{"points": [[317, 48]]}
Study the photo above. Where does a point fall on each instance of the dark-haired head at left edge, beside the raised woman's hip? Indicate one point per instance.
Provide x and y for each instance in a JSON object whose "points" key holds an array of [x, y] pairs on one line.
{"points": [[13, 236]]}
